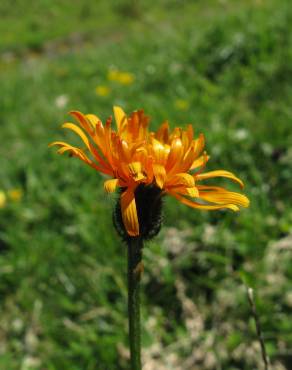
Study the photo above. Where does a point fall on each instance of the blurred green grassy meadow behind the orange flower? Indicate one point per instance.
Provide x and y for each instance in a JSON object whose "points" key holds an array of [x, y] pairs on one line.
{"points": [[224, 66]]}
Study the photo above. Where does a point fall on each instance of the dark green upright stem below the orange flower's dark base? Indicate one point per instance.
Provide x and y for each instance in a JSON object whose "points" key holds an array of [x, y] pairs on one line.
{"points": [[135, 246]]}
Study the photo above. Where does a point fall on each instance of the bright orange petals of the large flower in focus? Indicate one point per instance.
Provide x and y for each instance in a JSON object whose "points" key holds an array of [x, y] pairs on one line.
{"points": [[132, 156]]}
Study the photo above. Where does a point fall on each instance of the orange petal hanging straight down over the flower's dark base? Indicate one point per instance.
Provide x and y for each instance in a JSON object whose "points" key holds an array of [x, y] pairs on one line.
{"points": [[129, 212]]}
